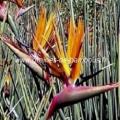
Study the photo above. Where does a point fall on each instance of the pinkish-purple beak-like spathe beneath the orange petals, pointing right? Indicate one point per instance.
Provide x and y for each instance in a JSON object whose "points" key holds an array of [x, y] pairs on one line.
{"points": [[71, 95]]}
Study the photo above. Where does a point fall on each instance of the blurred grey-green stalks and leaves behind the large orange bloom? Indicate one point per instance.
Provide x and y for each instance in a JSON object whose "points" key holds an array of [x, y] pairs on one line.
{"points": [[100, 49]]}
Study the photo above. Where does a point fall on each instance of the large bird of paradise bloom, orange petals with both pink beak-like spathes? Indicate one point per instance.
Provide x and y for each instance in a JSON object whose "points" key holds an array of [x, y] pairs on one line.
{"points": [[46, 39]]}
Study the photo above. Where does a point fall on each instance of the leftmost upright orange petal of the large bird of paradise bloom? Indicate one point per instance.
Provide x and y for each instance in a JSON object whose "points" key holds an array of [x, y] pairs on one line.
{"points": [[39, 29]]}
